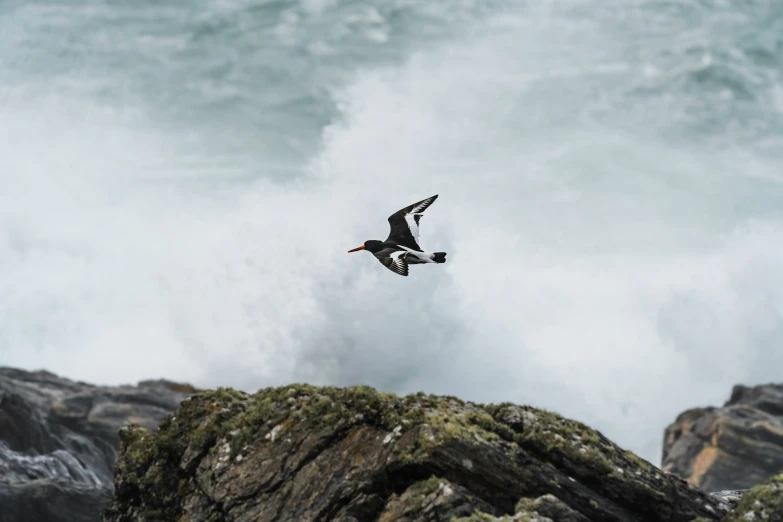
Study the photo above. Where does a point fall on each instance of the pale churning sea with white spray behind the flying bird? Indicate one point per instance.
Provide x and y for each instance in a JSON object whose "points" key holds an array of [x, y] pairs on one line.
{"points": [[180, 182]]}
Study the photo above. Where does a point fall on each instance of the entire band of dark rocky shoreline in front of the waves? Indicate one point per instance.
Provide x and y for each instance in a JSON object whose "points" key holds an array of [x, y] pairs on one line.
{"points": [[305, 453]]}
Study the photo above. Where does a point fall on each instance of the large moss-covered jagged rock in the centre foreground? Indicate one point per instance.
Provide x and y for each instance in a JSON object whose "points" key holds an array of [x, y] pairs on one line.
{"points": [[304, 453]]}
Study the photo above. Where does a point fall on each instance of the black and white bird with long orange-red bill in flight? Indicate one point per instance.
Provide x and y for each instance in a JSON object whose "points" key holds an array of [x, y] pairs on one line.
{"points": [[402, 248]]}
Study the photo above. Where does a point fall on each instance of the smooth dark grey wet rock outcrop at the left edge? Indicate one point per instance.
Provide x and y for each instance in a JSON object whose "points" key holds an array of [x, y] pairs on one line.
{"points": [[59, 438]]}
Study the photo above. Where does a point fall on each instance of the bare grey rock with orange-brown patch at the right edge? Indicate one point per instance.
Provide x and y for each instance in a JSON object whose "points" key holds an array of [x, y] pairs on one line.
{"points": [[733, 447]]}
